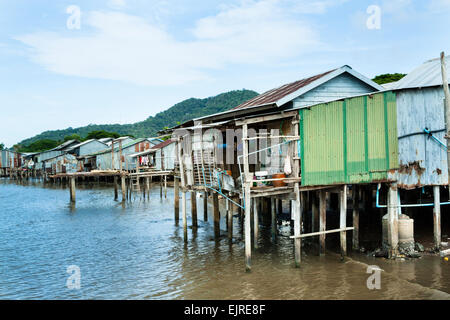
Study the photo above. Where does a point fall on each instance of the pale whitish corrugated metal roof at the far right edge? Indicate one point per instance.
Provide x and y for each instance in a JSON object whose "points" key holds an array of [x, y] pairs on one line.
{"points": [[426, 75]]}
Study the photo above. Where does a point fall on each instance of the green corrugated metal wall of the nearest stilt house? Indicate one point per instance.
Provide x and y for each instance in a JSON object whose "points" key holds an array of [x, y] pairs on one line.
{"points": [[350, 141]]}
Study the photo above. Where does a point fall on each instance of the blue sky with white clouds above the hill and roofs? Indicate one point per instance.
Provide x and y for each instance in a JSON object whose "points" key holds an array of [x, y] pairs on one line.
{"points": [[134, 58]]}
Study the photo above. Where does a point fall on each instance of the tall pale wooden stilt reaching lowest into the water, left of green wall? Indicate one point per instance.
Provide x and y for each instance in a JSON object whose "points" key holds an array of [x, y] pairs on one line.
{"points": [[247, 200]]}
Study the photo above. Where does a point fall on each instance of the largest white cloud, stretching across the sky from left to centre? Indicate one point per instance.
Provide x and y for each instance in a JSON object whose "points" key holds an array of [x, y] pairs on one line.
{"points": [[129, 48]]}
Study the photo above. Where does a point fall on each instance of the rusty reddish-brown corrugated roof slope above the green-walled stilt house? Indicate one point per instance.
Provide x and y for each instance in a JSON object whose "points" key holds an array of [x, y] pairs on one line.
{"points": [[274, 95]]}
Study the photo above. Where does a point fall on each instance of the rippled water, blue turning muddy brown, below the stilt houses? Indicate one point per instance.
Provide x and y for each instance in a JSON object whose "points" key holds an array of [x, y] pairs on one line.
{"points": [[137, 252]]}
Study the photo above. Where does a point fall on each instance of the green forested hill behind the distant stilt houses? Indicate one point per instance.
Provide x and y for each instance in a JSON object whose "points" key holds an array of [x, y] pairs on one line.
{"points": [[183, 111]]}
